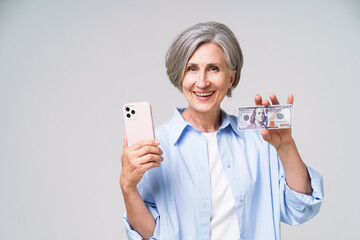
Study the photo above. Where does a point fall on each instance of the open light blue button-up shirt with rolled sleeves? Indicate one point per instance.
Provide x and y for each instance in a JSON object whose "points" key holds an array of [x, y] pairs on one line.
{"points": [[178, 192]]}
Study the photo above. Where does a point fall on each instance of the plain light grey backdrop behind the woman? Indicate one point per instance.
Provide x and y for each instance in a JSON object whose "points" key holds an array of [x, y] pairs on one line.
{"points": [[67, 67]]}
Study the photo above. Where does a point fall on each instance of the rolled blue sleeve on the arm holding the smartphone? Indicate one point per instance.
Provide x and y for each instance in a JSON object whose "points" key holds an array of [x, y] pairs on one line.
{"points": [[133, 235]]}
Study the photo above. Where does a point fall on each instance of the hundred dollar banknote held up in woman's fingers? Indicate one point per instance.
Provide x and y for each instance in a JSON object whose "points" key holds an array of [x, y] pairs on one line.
{"points": [[261, 117]]}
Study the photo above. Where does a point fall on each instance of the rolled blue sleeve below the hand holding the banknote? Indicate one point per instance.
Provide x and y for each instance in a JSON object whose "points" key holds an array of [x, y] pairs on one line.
{"points": [[300, 207]]}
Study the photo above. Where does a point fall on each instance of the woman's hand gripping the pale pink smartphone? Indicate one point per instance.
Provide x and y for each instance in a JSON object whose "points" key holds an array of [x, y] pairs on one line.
{"points": [[136, 160]]}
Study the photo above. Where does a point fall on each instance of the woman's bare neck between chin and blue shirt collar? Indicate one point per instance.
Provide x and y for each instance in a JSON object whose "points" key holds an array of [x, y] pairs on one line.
{"points": [[203, 121]]}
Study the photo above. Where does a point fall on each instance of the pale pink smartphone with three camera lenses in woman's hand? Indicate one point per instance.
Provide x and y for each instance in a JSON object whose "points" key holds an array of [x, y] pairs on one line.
{"points": [[139, 123]]}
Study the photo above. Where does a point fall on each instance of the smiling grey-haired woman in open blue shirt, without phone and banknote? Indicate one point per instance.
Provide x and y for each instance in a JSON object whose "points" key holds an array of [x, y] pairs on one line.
{"points": [[202, 178]]}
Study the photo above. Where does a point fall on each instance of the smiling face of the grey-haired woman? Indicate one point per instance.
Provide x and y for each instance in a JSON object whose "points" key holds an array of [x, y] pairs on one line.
{"points": [[207, 78]]}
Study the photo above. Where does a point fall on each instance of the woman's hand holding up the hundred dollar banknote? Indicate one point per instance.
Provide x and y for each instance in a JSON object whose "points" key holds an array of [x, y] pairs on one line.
{"points": [[281, 139]]}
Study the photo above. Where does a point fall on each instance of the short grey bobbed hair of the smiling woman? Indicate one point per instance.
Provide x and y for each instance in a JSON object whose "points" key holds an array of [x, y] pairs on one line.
{"points": [[191, 38]]}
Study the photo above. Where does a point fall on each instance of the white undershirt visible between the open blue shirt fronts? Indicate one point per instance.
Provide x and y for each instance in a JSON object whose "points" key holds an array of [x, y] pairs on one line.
{"points": [[223, 222]]}
